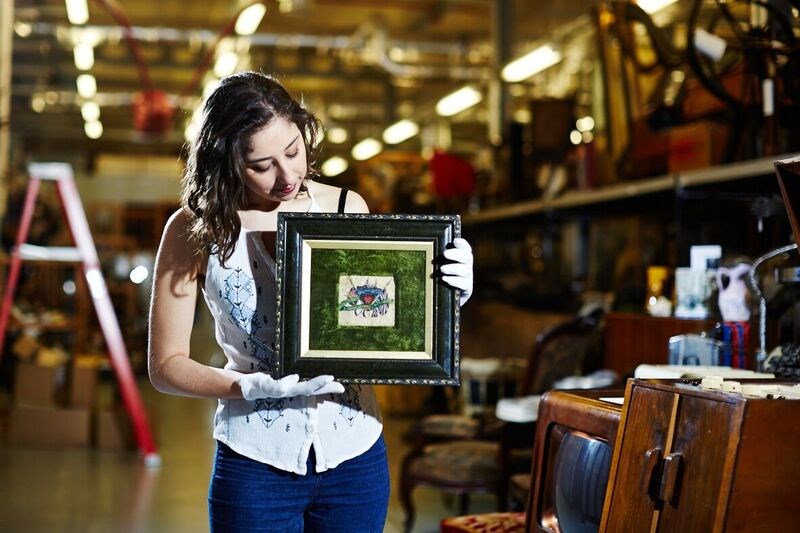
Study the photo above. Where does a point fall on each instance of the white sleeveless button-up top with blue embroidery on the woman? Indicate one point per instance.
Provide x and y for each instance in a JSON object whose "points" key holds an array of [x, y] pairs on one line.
{"points": [[277, 431]]}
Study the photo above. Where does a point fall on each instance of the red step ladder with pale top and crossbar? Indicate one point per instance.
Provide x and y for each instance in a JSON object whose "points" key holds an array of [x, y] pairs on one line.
{"points": [[86, 253]]}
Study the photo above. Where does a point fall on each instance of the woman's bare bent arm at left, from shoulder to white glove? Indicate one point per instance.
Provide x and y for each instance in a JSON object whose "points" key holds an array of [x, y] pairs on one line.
{"points": [[172, 306]]}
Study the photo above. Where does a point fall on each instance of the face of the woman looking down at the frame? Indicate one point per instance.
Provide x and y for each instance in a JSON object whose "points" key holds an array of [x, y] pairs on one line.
{"points": [[275, 164]]}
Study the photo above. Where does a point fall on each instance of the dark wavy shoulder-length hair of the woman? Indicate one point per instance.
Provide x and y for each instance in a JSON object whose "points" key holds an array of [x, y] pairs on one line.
{"points": [[213, 182]]}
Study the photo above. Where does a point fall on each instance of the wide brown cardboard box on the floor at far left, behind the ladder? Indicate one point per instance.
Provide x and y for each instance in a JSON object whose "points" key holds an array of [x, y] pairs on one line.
{"points": [[54, 427]]}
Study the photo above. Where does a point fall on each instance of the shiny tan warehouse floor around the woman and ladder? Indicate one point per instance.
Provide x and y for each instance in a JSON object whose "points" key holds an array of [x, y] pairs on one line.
{"points": [[86, 490]]}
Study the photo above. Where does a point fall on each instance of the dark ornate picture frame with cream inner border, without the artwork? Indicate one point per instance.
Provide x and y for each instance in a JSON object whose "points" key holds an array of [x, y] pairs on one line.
{"points": [[300, 234]]}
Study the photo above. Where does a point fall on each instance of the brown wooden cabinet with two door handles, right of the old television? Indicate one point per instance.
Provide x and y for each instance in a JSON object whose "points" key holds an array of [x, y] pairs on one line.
{"points": [[688, 459]]}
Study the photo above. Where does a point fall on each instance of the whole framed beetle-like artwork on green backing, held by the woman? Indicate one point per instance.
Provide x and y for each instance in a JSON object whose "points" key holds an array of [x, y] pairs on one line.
{"points": [[359, 298]]}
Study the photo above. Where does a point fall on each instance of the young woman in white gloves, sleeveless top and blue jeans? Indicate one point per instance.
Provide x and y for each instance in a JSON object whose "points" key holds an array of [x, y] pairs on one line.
{"points": [[291, 455]]}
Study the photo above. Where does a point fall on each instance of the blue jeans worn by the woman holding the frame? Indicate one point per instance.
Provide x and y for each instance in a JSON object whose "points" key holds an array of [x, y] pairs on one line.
{"points": [[246, 495]]}
